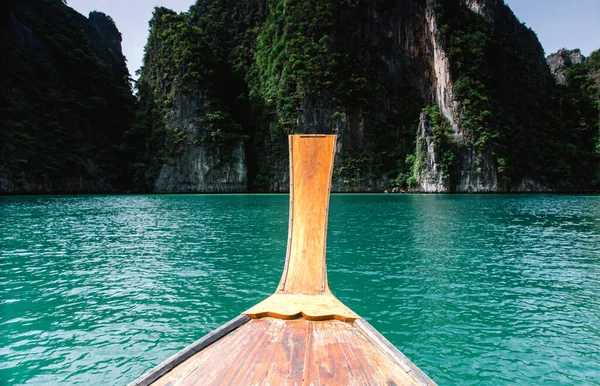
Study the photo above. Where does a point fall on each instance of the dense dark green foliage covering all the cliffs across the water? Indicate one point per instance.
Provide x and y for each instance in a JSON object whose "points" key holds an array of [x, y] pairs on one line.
{"points": [[231, 72]]}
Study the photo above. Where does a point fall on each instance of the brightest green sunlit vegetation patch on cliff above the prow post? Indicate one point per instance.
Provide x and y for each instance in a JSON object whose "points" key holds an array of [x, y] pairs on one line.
{"points": [[291, 59]]}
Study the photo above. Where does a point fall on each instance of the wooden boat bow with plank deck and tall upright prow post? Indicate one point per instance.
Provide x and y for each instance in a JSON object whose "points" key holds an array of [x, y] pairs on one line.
{"points": [[302, 334]]}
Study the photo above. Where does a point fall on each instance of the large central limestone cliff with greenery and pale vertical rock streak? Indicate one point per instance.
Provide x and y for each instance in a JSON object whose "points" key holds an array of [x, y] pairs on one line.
{"points": [[370, 72]]}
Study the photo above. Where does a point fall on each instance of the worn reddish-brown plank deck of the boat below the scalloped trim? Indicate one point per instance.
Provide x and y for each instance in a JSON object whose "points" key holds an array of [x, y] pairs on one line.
{"points": [[294, 352]]}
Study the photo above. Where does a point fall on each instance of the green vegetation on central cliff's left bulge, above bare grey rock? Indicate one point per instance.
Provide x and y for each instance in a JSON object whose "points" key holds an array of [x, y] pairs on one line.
{"points": [[187, 57]]}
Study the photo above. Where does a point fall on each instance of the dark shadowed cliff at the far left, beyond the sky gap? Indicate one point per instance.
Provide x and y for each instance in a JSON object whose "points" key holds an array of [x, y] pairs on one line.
{"points": [[65, 99]]}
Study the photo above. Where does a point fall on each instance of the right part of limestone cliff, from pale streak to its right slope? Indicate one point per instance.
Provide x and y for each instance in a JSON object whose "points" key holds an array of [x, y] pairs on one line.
{"points": [[497, 92]]}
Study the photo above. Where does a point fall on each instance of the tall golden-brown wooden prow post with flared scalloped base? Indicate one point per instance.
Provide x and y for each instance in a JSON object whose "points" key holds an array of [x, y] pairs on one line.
{"points": [[303, 289]]}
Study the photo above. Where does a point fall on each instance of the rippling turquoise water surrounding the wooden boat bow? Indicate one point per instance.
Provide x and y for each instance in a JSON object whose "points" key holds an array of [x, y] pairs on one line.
{"points": [[475, 289]]}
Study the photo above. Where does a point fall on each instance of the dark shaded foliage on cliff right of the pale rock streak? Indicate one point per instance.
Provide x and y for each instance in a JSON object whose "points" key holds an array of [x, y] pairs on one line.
{"points": [[535, 129]]}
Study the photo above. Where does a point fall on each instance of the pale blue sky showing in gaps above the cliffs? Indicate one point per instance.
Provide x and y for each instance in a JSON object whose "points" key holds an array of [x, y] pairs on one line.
{"points": [[558, 23]]}
